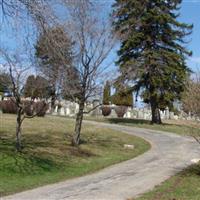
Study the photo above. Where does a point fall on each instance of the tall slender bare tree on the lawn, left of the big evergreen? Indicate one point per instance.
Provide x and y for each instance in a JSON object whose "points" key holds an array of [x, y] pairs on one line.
{"points": [[93, 43]]}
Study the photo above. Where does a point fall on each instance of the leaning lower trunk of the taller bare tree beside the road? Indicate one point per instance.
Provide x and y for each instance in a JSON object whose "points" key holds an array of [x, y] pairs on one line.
{"points": [[78, 125]]}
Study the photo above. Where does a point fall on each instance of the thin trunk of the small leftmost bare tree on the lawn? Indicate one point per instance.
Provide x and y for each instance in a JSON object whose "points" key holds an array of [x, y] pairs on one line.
{"points": [[18, 130]]}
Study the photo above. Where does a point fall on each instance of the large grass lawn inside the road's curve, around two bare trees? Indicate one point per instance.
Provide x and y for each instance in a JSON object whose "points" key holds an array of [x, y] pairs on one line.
{"points": [[48, 157]]}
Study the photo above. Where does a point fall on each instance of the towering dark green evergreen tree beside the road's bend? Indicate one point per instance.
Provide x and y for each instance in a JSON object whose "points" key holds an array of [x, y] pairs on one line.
{"points": [[152, 52]]}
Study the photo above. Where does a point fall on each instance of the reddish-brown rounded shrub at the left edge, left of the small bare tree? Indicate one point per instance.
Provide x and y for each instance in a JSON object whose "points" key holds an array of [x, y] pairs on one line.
{"points": [[8, 106]]}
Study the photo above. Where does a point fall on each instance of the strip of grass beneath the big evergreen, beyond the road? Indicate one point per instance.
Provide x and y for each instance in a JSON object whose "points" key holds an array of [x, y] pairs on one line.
{"points": [[182, 127]]}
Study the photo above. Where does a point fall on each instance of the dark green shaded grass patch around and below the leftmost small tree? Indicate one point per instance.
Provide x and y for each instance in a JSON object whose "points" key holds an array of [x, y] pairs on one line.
{"points": [[26, 162]]}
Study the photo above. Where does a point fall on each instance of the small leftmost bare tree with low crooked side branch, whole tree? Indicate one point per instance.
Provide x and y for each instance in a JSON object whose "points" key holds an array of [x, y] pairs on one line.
{"points": [[18, 71]]}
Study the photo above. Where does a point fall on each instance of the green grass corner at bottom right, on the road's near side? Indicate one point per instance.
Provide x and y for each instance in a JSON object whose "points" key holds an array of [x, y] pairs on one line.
{"points": [[183, 186]]}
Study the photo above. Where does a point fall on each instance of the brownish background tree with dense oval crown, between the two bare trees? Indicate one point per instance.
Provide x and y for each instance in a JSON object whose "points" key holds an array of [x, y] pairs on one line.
{"points": [[54, 56]]}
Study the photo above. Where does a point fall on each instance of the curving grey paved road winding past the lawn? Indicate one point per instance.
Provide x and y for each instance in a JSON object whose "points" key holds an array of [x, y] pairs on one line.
{"points": [[169, 154]]}
